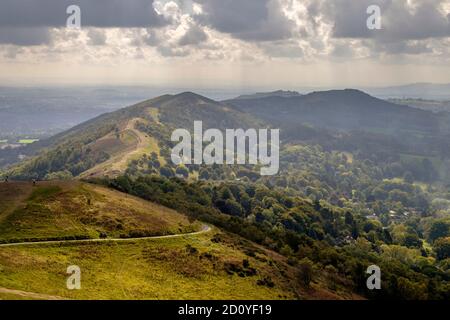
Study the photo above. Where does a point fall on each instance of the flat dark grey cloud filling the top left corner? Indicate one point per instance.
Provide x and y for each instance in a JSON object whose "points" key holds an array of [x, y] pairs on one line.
{"points": [[95, 13]]}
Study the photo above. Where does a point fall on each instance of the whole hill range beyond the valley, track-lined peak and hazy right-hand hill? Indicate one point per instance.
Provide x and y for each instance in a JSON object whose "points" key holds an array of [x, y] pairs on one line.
{"points": [[106, 144]]}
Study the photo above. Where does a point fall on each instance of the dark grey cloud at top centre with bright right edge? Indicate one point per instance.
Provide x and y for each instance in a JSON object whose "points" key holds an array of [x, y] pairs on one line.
{"points": [[251, 20]]}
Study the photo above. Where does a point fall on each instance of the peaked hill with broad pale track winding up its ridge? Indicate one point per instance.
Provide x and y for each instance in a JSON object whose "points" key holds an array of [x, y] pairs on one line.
{"points": [[106, 145]]}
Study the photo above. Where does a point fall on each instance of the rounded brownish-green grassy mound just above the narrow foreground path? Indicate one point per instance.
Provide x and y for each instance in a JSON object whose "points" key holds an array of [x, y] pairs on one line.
{"points": [[75, 210]]}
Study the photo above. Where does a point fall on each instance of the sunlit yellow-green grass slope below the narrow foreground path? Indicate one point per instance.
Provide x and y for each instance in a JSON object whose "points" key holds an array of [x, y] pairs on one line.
{"points": [[212, 265]]}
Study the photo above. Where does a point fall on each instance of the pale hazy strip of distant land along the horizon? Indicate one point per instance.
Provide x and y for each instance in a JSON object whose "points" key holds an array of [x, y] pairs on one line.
{"points": [[430, 91]]}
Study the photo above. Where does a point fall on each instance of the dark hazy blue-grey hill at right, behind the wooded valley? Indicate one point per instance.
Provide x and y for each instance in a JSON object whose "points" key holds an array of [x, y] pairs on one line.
{"points": [[338, 109]]}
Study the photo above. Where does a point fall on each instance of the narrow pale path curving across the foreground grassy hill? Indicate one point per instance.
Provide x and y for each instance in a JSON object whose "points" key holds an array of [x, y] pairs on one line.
{"points": [[205, 229]]}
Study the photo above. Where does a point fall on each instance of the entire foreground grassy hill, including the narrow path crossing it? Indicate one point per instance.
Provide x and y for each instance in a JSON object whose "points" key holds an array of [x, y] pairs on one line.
{"points": [[130, 259]]}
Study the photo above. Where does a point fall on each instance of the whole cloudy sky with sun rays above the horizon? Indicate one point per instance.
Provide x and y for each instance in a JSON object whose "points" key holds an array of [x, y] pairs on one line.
{"points": [[224, 43]]}
